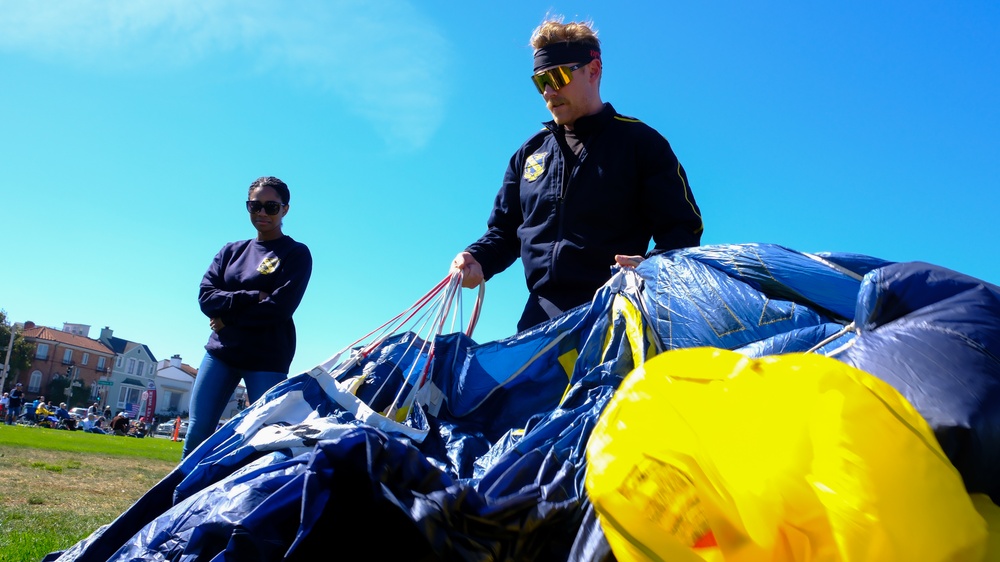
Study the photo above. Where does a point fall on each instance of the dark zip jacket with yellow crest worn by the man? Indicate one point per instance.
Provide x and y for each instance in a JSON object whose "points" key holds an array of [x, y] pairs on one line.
{"points": [[625, 188]]}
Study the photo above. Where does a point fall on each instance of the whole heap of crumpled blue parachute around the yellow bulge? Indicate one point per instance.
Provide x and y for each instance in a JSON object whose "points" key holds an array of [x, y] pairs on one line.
{"points": [[433, 446]]}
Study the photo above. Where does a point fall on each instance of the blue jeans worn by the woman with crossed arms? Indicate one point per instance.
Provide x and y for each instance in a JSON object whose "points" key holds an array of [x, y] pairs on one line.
{"points": [[213, 387]]}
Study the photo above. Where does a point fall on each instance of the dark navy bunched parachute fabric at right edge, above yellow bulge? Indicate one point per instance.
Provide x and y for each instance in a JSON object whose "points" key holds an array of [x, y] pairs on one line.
{"points": [[934, 335]]}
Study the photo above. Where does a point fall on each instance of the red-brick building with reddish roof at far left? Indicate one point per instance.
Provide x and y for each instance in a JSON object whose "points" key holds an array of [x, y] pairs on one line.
{"points": [[81, 360]]}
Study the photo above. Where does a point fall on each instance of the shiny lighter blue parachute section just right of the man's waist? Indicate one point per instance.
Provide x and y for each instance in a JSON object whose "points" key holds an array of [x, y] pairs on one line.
{"points": [[729, 297]]}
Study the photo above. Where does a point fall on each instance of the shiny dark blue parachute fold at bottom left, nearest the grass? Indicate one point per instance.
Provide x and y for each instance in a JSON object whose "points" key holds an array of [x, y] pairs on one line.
{"points": [[292, 509]]}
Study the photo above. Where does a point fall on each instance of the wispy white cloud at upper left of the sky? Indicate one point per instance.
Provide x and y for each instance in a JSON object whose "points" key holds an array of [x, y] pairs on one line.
{"points": [[384, 60]]}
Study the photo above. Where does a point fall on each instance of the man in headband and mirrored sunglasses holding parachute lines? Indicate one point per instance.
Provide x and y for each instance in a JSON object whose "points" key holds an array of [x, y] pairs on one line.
{"points": [[588, 191]]}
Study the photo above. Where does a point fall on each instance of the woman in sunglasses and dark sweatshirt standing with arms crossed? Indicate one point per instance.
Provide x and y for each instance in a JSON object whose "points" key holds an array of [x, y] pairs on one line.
{"points": [[249, 294]]}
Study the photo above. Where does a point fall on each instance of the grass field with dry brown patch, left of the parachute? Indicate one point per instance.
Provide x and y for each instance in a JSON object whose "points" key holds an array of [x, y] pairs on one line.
{"points": [[57, 487]]}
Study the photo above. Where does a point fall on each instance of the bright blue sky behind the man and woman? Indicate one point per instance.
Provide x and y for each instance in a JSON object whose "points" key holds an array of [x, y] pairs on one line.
{"points": [[130, 130]]}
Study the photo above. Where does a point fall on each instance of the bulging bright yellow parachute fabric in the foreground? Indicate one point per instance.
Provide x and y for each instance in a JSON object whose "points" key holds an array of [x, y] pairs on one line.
{"points": [[705, 454]]}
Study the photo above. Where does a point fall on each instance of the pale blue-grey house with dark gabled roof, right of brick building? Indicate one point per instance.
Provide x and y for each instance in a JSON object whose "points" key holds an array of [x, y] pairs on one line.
{"points": [[133, 372]]}
